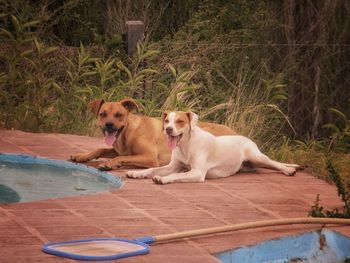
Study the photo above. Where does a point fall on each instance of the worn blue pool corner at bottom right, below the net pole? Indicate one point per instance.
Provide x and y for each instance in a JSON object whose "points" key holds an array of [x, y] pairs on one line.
{"points": [[313, 247]]}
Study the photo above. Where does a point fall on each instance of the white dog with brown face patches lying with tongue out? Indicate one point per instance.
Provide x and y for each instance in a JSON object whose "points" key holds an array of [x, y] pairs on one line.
{"points": [[197, 154]]}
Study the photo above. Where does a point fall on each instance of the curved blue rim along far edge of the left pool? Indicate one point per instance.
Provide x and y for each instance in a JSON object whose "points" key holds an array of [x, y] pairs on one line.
{"points": [[33, 159]]}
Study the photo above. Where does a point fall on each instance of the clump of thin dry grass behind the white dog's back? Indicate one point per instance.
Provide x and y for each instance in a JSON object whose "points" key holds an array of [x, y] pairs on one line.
{"points": [[253, 108]]}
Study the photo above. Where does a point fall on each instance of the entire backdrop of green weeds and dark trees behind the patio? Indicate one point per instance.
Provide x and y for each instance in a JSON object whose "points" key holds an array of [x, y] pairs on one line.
{"points": [[274, 71]]}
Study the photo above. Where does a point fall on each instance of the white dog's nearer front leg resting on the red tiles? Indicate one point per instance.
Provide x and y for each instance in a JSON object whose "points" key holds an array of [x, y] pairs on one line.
{"points": [[192, 176]]}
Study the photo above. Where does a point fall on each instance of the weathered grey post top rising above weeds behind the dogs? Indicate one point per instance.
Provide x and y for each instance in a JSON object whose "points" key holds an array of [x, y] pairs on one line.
{"points": [[135, 32]]}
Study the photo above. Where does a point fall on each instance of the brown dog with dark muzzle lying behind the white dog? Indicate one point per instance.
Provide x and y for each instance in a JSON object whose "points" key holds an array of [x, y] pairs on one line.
{"points": [[138, 141]]}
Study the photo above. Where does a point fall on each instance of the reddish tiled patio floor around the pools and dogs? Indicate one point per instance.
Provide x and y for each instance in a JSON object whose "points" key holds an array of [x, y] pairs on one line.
{"points": [[143, 208]]}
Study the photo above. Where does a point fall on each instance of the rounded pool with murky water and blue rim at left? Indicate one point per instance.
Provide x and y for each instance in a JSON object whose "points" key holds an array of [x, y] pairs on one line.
{"points": [[25, 178]]}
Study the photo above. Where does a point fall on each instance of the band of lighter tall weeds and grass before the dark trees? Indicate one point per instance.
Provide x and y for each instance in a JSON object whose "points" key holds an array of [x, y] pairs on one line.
{"points": [[48, 88]]}
